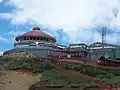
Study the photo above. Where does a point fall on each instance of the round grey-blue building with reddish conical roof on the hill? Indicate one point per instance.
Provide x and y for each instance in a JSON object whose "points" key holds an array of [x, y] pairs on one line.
{"points": [[37, 43]]}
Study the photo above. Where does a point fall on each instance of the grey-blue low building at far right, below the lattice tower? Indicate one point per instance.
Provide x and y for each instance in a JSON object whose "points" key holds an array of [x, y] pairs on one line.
{"points": [[99, 49]]}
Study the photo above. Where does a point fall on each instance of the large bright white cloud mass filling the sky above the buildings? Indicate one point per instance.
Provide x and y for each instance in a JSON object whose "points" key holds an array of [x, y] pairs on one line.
{"points": [[75, 17]]}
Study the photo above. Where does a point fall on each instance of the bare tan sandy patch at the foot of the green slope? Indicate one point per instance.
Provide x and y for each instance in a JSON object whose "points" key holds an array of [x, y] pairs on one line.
{"points": [[20, 80]]}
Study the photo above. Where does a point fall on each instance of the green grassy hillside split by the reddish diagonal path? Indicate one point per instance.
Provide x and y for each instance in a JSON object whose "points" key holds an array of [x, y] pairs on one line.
{"points": [[52, 76]]}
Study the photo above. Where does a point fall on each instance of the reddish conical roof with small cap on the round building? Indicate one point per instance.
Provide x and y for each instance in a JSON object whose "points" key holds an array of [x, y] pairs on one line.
{"points": [[35, 33]]}
